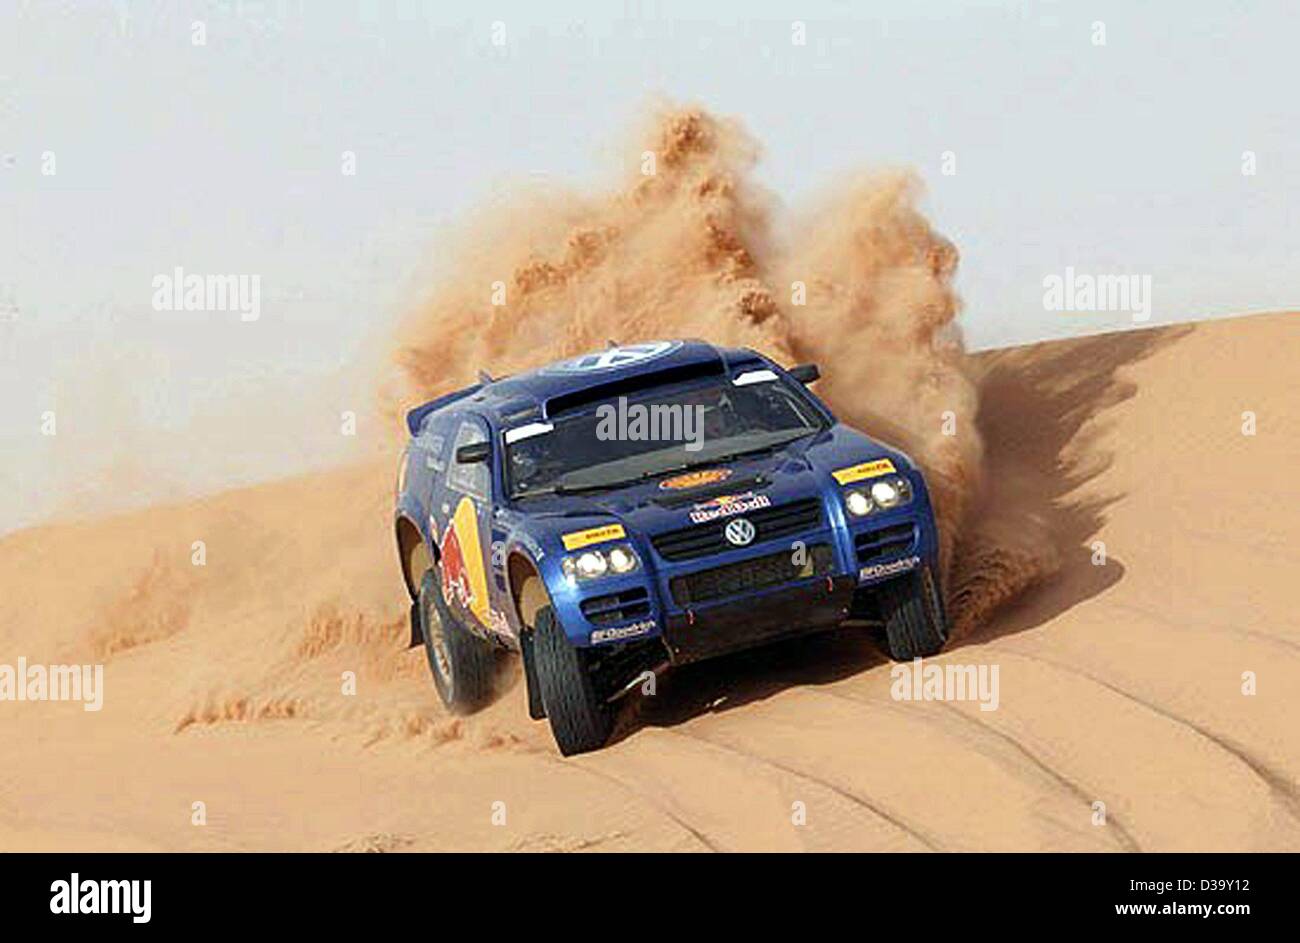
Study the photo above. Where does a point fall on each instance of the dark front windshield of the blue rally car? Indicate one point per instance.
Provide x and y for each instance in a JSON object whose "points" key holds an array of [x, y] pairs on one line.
{"points": [[656, 432]]}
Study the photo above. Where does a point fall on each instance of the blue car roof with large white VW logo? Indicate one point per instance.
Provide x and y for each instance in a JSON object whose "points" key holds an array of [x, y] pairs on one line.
{"points": [[540, 392]]}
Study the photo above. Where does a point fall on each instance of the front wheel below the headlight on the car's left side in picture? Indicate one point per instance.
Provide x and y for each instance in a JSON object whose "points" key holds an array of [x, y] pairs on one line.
{"points": [[580, 720]]}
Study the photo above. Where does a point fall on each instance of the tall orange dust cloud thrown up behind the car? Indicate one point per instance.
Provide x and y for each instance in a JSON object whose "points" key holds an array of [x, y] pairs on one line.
{"points": [[691, 246]]}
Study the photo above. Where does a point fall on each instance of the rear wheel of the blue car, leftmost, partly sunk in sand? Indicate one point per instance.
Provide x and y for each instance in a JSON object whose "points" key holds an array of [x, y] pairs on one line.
{"points": [[462, 664]]}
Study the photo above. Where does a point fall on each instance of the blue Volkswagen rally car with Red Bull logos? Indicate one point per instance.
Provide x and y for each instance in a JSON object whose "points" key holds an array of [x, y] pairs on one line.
{"points": [[645, 507]]}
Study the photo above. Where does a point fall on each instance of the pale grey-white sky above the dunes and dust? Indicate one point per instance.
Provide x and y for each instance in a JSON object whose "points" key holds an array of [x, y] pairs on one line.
{"points": [[1124, 158]]}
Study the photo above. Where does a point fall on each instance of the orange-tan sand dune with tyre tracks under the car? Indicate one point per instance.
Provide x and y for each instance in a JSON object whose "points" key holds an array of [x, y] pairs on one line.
{"points": [[1120, 684]]}
